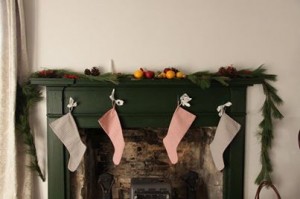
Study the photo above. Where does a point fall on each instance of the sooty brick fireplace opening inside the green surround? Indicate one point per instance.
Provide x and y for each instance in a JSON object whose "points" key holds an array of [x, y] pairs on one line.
{"points": [[145, 158]]}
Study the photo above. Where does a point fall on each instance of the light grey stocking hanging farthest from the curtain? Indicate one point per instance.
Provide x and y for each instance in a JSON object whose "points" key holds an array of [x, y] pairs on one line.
{"points": [[226, 131]]}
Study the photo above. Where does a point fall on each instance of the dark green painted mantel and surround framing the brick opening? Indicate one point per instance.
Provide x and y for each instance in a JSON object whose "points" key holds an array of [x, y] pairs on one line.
{"points": [[148, 103]]}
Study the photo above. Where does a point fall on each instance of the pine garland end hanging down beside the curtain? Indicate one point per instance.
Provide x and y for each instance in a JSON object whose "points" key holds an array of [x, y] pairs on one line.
{"points": [[27, 96]]}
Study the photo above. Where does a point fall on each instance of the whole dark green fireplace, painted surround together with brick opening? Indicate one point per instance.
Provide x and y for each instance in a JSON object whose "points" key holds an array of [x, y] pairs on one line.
{"points": [[145, 117]]}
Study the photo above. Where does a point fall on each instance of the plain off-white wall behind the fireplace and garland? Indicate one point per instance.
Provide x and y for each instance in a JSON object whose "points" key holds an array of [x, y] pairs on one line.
{"points": [[192, 35]]}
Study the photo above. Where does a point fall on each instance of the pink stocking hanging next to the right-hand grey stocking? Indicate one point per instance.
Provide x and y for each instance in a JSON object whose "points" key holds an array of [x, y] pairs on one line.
{"points": [[180, 123]]}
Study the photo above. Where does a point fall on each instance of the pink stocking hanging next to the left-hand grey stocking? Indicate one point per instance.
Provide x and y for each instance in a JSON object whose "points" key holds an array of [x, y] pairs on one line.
{"points": [[111, 125]]}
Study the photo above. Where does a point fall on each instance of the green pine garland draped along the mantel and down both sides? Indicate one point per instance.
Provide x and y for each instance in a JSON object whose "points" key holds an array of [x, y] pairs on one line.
{"points": [[29, 94]]}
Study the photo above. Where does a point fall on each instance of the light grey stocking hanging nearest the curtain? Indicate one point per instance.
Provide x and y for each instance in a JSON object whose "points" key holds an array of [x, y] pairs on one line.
{"points": [[66, 130]]}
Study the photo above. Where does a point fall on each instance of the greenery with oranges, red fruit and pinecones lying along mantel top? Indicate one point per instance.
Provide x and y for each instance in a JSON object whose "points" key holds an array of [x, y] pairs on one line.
{"points": [[201, 78]]}
